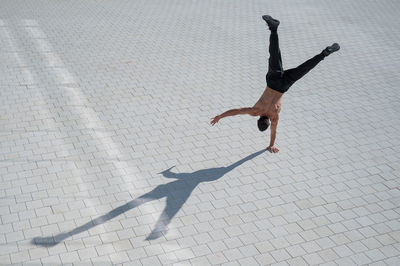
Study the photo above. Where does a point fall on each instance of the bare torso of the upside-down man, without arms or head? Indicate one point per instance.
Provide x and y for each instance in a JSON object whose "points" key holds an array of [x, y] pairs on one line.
{"points": [[270, 103]]}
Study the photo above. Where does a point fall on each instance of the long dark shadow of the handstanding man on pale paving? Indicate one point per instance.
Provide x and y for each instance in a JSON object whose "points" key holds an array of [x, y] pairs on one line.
{"points": [[177, 193]]}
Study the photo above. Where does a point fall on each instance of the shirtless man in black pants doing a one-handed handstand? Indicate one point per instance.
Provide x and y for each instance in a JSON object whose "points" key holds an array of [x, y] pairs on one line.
{"points": [[278, 82]]}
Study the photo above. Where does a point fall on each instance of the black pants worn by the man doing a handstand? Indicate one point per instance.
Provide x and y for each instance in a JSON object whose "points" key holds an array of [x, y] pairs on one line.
{"points": [[279, 79]]}
